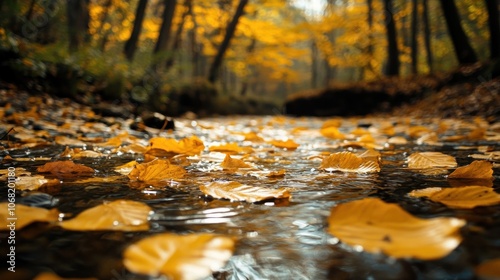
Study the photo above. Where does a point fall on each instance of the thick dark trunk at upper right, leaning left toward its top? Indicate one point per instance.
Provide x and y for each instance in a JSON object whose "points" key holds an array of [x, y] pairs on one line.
{"points": [[463, 50]]}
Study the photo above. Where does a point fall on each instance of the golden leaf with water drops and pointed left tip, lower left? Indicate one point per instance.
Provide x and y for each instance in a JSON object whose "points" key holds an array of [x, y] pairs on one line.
{"points": [[124, 215]]}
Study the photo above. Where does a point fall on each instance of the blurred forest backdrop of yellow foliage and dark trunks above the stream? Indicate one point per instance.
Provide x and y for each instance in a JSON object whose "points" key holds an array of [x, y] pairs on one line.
{"points": [[189, 55]]}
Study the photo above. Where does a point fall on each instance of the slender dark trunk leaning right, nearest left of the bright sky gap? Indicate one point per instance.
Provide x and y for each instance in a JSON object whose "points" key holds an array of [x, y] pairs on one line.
{"points": [[212, 74]]}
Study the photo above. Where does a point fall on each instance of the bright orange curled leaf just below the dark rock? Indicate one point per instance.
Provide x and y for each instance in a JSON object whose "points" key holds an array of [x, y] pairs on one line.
{"points": [[159, 146]]}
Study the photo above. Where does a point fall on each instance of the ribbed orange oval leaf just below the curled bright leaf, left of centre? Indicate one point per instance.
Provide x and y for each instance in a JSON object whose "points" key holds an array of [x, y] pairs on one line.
{"points": [[156, 170]]}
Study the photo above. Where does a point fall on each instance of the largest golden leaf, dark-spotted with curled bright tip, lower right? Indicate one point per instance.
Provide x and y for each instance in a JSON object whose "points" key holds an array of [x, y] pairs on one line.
{"points": [[381, 227]]}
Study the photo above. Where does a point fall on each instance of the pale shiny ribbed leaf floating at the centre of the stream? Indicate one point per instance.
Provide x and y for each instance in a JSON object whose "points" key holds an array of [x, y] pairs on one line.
{"points": [[236, 191]]}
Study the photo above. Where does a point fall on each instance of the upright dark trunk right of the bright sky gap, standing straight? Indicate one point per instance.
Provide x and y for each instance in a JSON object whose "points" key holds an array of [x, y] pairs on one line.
{"points": [[393, 64]]}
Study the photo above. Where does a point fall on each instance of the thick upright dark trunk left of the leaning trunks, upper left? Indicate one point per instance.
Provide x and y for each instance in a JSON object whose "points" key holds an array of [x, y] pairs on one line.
{"points": [[78, 23]]}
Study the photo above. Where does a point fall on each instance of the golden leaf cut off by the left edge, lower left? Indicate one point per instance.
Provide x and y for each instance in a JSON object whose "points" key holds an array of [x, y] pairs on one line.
{"points": [[24, 215]]}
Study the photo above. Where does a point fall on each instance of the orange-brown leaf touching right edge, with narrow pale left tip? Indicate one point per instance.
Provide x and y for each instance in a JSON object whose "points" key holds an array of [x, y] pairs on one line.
{"points": [[463, 197]]}
